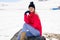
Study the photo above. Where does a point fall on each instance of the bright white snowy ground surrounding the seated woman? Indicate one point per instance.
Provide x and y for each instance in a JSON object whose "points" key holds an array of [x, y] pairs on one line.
{"points": [[12, 15]]}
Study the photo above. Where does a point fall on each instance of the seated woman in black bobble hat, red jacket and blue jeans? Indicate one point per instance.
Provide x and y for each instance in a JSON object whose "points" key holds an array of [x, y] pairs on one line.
{"points": [[32, 25]]}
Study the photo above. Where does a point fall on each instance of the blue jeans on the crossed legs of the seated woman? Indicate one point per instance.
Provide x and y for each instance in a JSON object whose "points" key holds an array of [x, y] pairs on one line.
{"points": [[30, 31]]}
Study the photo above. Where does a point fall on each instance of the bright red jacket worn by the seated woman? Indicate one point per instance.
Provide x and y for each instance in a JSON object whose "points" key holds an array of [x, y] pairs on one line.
{"points": [[34, 21]]}
